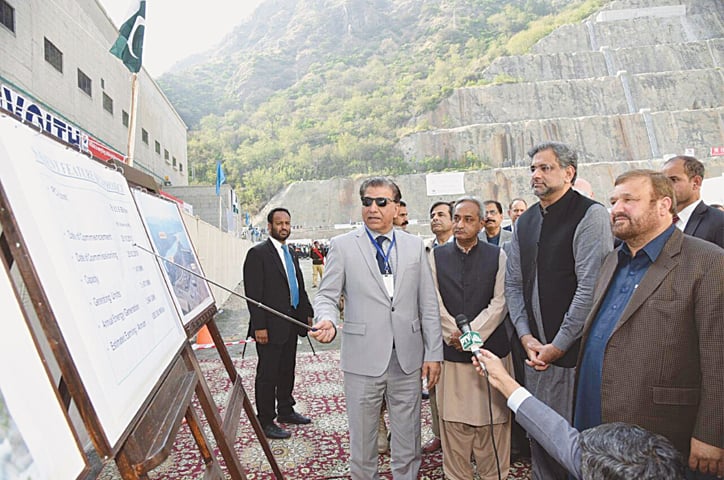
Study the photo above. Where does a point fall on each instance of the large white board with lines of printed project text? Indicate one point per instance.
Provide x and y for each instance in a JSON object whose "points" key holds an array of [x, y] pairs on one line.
{"points": [[79, 222]]}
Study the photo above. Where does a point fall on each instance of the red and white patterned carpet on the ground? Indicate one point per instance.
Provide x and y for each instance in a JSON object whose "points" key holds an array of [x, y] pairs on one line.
{"points": [[315, 452]]}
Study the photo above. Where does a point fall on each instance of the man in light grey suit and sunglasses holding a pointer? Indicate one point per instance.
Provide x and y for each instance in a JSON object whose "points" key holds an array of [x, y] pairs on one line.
{"points": [[391, 337]]}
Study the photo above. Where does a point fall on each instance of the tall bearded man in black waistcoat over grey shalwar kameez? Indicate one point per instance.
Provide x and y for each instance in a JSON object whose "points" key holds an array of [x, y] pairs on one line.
{"points": [[557, 249]]}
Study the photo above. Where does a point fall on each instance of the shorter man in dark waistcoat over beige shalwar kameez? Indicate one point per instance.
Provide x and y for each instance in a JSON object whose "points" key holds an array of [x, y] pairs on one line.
{"points": [[470, 280]]}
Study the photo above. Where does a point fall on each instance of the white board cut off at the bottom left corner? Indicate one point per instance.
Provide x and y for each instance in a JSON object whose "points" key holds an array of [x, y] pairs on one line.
{"points": [[35, 438]]}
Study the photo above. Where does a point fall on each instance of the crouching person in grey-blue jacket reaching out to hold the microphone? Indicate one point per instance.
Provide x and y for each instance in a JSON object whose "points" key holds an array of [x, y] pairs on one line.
{"points": [[615, 451]]}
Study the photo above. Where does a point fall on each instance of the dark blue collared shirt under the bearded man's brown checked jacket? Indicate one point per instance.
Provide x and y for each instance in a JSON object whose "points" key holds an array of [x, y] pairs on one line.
{"points": [[629, 273]]}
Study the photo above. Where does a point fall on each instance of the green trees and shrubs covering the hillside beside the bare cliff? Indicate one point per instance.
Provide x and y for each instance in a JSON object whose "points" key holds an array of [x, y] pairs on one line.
{"points": [[344, 112]]}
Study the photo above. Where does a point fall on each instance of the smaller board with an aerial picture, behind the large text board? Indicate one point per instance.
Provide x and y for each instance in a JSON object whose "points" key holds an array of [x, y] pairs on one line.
{"points": [[170, 240]]}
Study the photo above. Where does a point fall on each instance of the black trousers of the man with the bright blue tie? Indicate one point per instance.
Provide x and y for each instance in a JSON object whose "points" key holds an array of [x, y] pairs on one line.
{"points": [[275, 379]]}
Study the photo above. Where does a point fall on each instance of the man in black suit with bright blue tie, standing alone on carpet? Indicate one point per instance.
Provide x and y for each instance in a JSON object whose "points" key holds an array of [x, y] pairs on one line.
{"points": [[272, 276]]}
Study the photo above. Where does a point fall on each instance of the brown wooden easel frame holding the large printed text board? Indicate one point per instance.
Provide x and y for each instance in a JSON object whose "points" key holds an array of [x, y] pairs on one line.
{"points": [[149, 438]]}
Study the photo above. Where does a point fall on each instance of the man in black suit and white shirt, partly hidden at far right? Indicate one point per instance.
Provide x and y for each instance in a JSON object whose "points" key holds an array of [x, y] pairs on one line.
{"points": [[693, 217]]}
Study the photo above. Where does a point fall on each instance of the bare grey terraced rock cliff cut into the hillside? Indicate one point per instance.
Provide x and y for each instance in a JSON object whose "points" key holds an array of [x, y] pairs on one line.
{"points": [[637, 82]]}
